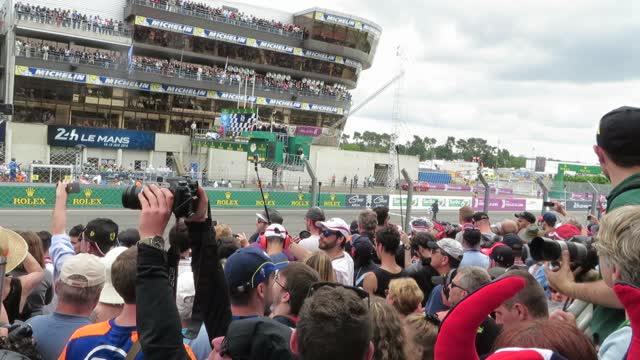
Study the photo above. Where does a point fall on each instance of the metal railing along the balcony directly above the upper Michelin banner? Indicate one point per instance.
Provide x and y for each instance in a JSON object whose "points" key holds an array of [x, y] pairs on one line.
{"points": [[164, 5]]}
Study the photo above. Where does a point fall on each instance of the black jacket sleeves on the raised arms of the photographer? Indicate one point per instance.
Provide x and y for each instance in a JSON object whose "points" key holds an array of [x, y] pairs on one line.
{"points": [[158, 321]]}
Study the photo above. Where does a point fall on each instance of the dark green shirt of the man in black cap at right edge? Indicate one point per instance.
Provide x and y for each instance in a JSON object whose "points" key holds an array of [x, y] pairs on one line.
{"points": [[606, 320]]}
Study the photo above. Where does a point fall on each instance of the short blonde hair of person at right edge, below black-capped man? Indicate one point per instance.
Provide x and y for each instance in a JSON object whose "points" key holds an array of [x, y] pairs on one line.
{"points": [[617, 242]]}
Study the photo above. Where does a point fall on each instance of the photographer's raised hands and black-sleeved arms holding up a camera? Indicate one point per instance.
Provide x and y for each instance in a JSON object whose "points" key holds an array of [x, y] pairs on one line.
{"points": [[160, 335]]}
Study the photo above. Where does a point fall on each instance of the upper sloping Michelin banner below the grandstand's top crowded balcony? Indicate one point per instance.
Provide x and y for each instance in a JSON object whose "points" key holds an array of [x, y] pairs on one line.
{"points": [[241, 40]]}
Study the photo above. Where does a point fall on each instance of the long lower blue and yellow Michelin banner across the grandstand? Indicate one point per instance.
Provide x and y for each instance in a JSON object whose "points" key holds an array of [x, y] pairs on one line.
{"points": [[169, 89]]}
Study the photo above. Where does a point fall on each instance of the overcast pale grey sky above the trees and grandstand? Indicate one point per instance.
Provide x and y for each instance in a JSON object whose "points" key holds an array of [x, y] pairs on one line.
{"points": [[535, 76]]}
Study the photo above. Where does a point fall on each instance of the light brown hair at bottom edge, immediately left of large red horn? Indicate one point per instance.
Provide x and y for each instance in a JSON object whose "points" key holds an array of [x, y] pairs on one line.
{"points": [[421, 336]]}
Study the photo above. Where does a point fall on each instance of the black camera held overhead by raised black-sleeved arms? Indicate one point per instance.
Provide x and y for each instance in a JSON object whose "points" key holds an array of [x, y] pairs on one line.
{"points": [[185, 196]]}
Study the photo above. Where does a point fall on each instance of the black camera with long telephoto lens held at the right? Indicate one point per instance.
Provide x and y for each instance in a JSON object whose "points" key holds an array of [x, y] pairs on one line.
{"points": [[582, 252]]}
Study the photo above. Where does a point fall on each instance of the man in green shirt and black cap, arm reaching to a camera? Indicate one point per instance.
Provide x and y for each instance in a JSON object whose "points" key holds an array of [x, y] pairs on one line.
{"points": [[618, 150]]}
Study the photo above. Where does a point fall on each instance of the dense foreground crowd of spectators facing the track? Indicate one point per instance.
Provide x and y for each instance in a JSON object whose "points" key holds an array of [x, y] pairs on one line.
{"points": [[365, 290]]}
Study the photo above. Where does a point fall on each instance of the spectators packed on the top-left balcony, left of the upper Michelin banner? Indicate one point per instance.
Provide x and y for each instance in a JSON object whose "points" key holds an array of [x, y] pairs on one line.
{"points": [[68, 18]]}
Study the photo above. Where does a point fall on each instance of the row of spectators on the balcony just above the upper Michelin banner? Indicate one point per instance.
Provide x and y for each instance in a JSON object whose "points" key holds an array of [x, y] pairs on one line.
{"points": [[204, 10]]}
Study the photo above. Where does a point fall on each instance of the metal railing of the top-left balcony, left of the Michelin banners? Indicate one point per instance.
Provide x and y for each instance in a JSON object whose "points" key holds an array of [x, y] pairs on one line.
{"points": [[71, 23]]}
